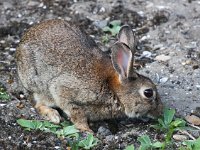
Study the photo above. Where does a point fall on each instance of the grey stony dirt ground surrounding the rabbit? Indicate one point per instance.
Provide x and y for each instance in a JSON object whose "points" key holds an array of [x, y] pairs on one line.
{"points": [[168, 32]]}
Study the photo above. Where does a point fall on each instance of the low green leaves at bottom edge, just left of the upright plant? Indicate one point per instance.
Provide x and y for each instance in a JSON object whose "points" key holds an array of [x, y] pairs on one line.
{"points": [[146, 144]]}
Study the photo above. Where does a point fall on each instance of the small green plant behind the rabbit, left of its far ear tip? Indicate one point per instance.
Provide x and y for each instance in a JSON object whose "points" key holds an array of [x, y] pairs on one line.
{"points": [[111, 30]]}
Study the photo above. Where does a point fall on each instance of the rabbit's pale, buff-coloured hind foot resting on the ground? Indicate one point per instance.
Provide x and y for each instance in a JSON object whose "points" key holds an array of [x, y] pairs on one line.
{"points": [[43, 106]]}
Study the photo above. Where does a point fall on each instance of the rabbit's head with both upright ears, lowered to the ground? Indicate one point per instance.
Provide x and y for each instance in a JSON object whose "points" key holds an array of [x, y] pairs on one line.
{"points": [[137, 93]]}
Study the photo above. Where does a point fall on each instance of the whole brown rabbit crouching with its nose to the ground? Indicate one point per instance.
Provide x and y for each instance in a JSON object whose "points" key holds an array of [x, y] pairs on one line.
{"points": [[63, 67]]}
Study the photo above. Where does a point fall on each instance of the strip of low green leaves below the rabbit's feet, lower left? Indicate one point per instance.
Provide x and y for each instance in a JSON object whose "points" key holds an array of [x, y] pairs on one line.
{"points": [[64, 130]]}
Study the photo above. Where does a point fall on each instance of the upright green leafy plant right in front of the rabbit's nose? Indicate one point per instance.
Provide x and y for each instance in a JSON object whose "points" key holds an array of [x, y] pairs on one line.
{"points": [[167, 125]]}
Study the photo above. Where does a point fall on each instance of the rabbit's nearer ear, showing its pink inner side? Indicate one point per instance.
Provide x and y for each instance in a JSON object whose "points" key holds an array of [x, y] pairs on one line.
{"points": [[122, 60]]}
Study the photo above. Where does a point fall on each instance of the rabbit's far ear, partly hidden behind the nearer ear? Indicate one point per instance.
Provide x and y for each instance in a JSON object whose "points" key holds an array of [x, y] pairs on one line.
{"points": [[126, 36]]}
